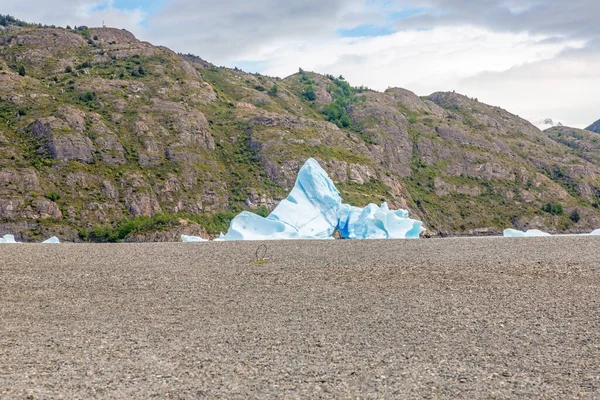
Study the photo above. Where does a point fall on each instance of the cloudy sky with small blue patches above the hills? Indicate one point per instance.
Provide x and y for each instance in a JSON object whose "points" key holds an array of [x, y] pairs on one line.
{"points": [[537, 59]]}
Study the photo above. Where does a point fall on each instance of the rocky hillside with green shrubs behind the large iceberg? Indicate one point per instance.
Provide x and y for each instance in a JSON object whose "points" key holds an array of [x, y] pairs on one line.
{"points": [[104, 137]]}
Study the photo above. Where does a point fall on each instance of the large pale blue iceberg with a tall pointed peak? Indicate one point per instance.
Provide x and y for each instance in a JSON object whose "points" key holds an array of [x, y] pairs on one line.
{"points": [[314, 210]]}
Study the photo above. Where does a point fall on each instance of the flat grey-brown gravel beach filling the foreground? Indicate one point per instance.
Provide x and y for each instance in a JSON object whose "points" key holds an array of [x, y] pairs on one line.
{"points": [[440, 318]]}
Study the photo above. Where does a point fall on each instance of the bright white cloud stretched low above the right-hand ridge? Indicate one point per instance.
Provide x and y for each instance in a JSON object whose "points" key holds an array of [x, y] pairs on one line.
{"points": [[423, 61]]}
